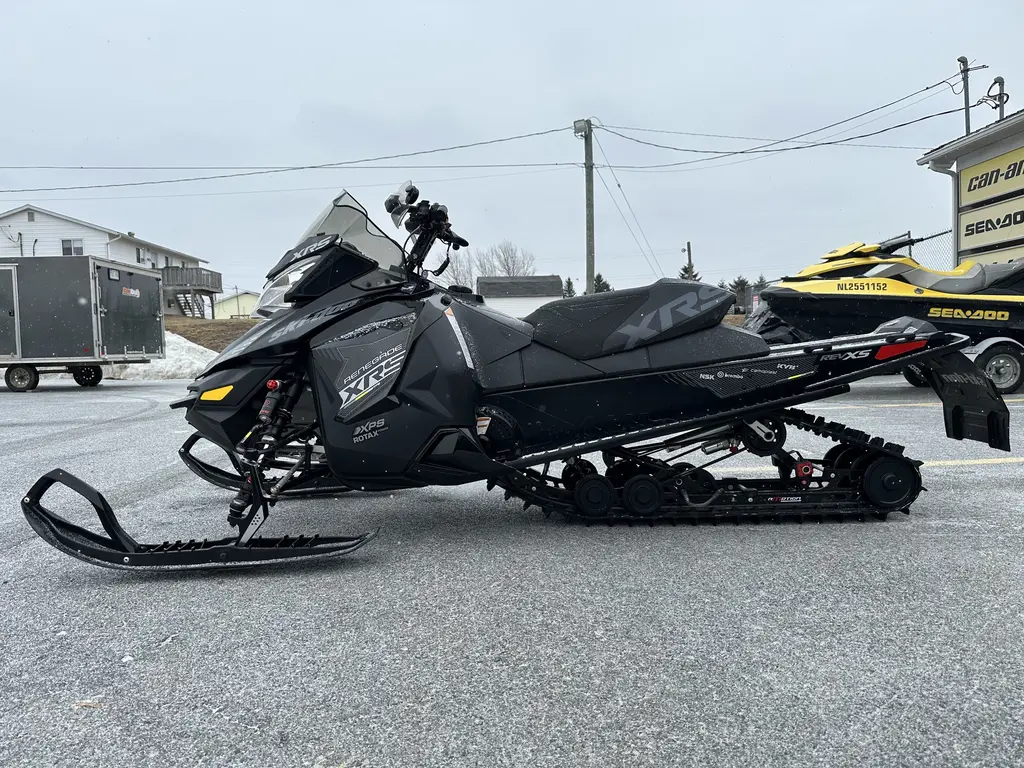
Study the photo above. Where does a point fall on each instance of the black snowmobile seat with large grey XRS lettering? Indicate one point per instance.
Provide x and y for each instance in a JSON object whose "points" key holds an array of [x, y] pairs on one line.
{"points": [[603, 324]]}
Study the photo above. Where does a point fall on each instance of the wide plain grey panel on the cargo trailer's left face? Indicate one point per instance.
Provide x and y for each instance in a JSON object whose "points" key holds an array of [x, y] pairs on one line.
{"points": [[56, 308]]}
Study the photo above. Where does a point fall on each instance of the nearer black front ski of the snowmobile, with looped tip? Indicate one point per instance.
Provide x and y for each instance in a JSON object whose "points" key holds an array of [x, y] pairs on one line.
{"points": [[119, 550]]}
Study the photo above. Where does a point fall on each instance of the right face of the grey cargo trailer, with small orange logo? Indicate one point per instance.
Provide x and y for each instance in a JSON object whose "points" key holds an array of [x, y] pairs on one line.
{"points": [[131, 312]]}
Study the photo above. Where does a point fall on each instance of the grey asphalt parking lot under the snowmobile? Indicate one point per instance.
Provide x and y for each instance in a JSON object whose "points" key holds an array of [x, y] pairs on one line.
{"points": [[471, 633]]}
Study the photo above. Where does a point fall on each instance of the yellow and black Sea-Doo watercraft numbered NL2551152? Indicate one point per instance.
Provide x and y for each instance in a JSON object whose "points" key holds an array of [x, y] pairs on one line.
{"points": [[858, 287]]}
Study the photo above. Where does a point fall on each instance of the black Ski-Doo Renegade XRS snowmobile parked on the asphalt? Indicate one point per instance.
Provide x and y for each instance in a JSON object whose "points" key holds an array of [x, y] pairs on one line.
{"points": [[367, 375]]}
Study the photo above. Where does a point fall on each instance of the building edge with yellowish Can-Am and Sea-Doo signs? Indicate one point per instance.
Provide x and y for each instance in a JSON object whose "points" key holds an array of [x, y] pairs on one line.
{"points": [[988, 173]]}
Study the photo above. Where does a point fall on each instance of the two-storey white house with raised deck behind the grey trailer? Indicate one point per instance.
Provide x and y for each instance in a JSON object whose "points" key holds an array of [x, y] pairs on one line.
{"points": [[34, 232]]}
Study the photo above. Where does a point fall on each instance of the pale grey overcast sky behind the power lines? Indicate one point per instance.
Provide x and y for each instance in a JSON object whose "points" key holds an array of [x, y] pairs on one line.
{"points": [[265, 83]]}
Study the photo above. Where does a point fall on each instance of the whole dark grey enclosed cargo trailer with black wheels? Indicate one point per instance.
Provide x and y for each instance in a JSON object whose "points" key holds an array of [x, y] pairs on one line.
{"points": [[76, 315]]}
